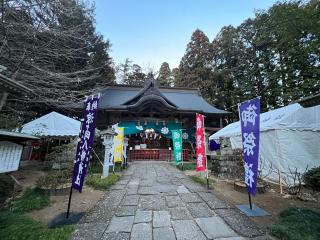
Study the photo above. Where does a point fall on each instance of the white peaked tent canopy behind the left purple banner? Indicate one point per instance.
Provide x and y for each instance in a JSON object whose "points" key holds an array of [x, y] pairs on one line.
{"points": [[53, 125]]}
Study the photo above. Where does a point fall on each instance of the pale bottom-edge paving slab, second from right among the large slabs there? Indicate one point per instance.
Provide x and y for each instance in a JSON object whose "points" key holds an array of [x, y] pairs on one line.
{"points": [[187, 230]]}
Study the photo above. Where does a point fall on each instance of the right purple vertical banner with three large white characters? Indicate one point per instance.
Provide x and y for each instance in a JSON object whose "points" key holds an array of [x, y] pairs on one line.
{"points": [[250, 131]]}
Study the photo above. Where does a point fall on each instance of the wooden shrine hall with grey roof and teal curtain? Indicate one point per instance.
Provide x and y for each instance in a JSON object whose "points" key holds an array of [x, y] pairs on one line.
{"points": [[148, 114]]}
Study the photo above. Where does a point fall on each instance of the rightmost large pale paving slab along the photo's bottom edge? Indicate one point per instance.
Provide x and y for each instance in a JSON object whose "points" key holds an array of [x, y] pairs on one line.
{"points": [[215, 227]]}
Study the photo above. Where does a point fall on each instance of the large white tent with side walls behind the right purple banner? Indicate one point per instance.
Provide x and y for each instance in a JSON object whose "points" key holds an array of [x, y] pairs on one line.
{"points": [[289, 140]]}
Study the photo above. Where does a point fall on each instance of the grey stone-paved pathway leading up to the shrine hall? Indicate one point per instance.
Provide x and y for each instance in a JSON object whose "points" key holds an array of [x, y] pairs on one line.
{"points": [[154, 200]]}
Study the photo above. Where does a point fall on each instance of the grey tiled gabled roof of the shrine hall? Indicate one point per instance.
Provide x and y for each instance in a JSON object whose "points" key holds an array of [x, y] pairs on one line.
{"points": [[122, 97]]}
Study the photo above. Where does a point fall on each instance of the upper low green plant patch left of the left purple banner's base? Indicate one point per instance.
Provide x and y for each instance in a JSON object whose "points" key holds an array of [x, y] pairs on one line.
{"points": [[32, 199]]}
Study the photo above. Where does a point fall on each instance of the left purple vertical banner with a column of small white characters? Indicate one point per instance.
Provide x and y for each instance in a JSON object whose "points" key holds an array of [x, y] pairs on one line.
{"points": [[84, 147]]}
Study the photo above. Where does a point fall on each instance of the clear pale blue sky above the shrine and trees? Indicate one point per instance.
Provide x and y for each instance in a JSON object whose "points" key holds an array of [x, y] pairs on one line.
{"points": [[149, 32]]}
